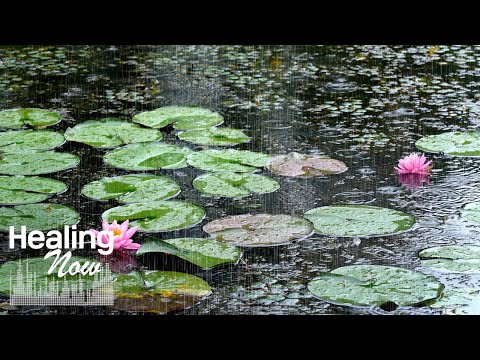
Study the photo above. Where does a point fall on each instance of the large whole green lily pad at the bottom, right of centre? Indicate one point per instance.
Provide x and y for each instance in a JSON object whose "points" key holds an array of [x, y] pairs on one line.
{"points": [[369, 285]]}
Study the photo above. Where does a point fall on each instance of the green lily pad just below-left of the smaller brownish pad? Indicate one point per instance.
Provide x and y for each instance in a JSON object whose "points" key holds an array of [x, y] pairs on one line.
{"points": [[231, 184]]}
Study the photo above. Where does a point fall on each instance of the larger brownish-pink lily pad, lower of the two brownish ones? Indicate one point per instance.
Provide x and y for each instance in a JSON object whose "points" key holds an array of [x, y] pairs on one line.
{"points": [[259, 230]]}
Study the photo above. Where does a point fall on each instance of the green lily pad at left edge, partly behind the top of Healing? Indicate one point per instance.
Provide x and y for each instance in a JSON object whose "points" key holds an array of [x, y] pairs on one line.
{"points": [[37, 217]]}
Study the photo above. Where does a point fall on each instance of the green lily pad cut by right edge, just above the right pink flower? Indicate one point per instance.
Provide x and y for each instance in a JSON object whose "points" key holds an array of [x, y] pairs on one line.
{"points": [[465, 143]]}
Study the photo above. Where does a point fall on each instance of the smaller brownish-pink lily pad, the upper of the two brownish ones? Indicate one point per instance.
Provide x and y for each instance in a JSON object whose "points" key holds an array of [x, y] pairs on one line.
{"points": [[295, 164]]}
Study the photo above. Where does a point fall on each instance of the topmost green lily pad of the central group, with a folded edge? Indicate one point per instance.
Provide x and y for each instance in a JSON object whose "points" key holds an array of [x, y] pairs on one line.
{"points": [[183, 118]]}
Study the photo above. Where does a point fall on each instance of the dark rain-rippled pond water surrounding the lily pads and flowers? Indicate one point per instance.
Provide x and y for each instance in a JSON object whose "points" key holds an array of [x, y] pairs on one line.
{"points": [[363, 105]]}
